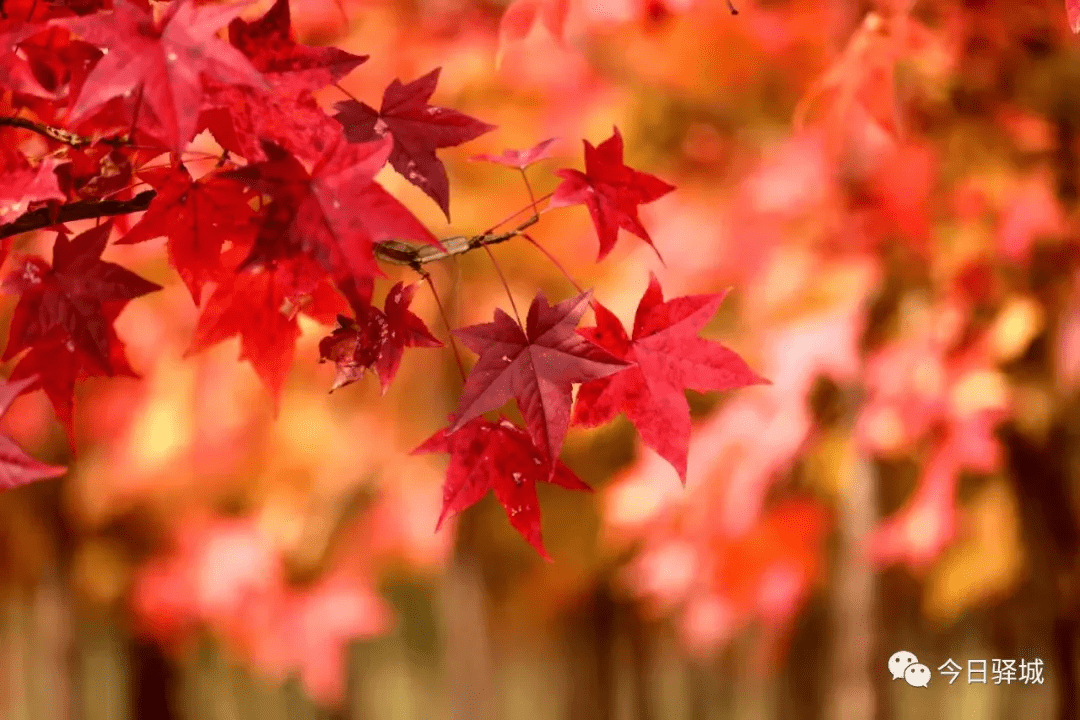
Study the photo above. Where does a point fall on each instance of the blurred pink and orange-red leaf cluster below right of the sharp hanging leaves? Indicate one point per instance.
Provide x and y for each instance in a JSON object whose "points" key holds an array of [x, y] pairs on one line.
{"points": [[720, 554]]}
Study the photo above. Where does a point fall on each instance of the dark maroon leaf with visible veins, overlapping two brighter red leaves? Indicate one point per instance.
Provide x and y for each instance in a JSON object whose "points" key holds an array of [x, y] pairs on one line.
{"points": [[536, 365]]}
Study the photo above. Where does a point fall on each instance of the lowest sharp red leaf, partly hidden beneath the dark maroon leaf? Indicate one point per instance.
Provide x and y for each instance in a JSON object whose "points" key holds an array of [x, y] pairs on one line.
{"points": [[503, 458]]}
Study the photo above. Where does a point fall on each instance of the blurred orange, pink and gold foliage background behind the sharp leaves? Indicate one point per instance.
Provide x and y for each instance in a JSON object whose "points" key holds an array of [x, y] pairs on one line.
{"points": [[889, 189]]}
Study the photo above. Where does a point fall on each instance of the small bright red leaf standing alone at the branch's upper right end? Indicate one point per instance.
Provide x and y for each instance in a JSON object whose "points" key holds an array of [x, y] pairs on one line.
{"points": [[611, 191]]}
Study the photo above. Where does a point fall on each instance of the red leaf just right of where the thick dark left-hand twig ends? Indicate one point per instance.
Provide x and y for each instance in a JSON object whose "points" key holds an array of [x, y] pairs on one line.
{"points": [[197, 216]]}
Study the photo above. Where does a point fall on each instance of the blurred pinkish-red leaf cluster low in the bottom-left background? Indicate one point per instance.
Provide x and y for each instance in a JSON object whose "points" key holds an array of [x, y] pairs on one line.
{"points": [[226, 575]]}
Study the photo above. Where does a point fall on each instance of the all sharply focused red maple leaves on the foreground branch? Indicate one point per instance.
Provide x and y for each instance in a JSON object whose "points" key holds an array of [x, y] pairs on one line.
{"points": [[288, 223]]}
